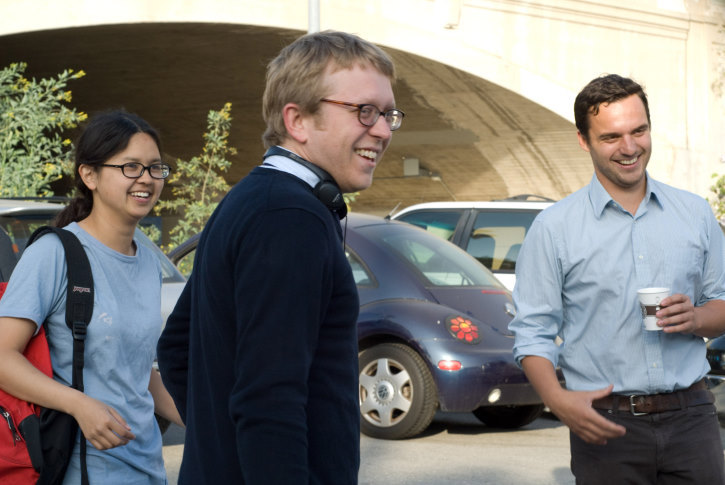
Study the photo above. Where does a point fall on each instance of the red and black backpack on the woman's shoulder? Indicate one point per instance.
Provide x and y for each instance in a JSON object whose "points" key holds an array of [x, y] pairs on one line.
{"points": [[36, 443]]}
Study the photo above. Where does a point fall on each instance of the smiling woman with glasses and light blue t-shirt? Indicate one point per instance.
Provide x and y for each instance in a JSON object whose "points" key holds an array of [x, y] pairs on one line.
{"points": [[119, 177]]}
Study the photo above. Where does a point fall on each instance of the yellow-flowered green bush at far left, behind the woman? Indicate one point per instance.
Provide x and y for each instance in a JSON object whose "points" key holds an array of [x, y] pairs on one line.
{"points": [[33, 115]]}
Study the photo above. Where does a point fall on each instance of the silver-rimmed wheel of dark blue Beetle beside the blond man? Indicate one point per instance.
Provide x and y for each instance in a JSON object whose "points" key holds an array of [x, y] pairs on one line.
{"points": [[398, 397]]}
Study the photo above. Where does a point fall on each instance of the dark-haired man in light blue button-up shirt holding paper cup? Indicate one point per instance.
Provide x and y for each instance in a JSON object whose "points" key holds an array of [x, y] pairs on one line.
{"points": [[635, 401]]}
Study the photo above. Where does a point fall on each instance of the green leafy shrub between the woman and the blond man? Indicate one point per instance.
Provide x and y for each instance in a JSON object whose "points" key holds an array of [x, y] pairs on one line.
{"points": [[197, 184]]}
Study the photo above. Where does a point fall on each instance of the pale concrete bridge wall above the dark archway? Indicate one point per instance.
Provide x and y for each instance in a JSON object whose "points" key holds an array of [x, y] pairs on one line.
{"points": [[543, 50]]}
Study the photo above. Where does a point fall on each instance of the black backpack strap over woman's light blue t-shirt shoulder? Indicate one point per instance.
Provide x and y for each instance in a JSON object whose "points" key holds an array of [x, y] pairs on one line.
{"points": [[78, 307]]}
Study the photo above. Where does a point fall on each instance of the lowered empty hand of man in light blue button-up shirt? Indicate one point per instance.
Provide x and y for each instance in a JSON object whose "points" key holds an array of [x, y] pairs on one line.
{"points": [[574, 408]]}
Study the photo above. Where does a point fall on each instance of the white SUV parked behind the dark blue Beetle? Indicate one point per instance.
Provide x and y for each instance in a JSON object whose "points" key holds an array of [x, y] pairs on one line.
{"points": [[492, 232]]}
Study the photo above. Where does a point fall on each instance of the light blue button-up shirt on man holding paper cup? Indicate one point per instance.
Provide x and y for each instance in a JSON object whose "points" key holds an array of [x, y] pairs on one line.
{"points": [[577, 277]]}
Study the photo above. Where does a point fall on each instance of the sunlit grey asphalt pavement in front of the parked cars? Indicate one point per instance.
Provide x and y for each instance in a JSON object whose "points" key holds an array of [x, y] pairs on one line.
{"points": [[455, 449]]}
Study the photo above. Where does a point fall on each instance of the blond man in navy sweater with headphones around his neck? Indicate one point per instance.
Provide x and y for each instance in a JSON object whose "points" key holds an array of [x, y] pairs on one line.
{"points": [[260, 353]]}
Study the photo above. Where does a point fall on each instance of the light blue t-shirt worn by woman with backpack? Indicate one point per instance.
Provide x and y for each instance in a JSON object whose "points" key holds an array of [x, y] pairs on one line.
{"points": [[120, 344]]}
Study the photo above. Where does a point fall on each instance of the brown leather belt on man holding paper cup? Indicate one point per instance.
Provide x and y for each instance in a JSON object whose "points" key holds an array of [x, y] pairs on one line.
{"points": [[638, 405]]}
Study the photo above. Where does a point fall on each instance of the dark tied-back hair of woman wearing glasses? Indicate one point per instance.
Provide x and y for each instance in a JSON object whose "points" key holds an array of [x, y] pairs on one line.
{"points": [[105, 135]]}
